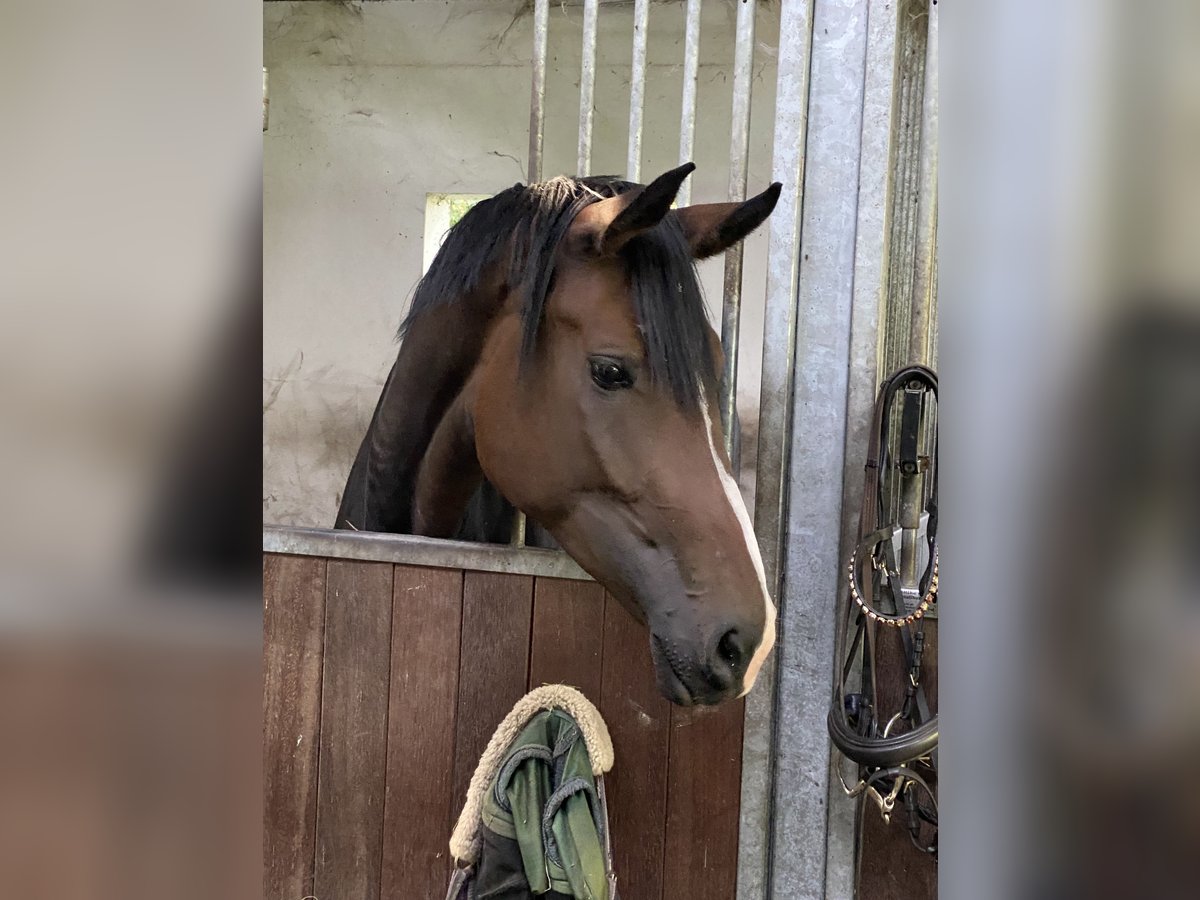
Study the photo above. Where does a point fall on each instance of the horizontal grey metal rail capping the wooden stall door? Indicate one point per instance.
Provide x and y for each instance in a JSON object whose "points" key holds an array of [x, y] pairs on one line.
{"points": [[412, 550]]}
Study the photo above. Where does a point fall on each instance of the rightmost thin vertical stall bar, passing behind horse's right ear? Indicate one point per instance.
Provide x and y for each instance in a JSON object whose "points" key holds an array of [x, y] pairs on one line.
{"points": [[740, 149]]}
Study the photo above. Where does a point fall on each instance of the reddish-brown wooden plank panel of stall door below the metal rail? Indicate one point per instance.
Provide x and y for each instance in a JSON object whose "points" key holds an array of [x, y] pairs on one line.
{"points": [[383, 685]]}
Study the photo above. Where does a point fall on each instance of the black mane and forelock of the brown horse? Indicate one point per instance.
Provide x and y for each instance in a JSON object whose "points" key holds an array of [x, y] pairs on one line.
{"points": [[521, 229]]}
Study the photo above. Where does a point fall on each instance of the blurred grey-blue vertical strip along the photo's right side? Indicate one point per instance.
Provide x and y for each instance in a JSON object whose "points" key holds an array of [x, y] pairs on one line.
{"points": [[1071, 406]]}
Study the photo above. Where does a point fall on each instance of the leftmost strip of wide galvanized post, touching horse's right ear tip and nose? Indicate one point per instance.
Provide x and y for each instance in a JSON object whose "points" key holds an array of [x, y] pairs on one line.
{"points": [[775, 431]]}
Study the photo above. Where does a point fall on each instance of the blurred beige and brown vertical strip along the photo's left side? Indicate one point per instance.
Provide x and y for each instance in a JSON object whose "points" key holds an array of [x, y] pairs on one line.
{"points": [[130, 334]]}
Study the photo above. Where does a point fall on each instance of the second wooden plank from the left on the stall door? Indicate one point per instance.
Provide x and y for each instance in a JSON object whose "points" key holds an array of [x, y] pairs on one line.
{"points": [[355, 730]]}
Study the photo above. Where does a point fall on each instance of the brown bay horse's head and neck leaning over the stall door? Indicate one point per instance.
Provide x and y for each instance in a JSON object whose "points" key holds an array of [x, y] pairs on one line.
{"points": [[557, 359]]}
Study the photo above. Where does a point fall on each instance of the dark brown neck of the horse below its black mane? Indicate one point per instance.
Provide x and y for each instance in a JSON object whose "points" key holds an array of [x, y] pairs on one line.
{"points": [[436, 359]]}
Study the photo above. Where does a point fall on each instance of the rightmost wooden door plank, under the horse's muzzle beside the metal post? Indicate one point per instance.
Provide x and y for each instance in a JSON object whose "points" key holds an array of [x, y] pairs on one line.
{"points": [[704, 799]]}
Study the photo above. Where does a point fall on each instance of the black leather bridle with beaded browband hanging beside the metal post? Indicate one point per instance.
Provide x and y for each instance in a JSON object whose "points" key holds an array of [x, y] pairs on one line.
{"points": [[891, 590]]}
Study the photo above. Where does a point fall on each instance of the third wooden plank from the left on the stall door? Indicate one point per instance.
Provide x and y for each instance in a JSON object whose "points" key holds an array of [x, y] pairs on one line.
{"points": [[425, 634]]}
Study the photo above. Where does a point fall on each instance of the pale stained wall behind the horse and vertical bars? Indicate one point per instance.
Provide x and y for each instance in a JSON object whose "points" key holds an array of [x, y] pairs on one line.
{"points": [[371, 107]]}
